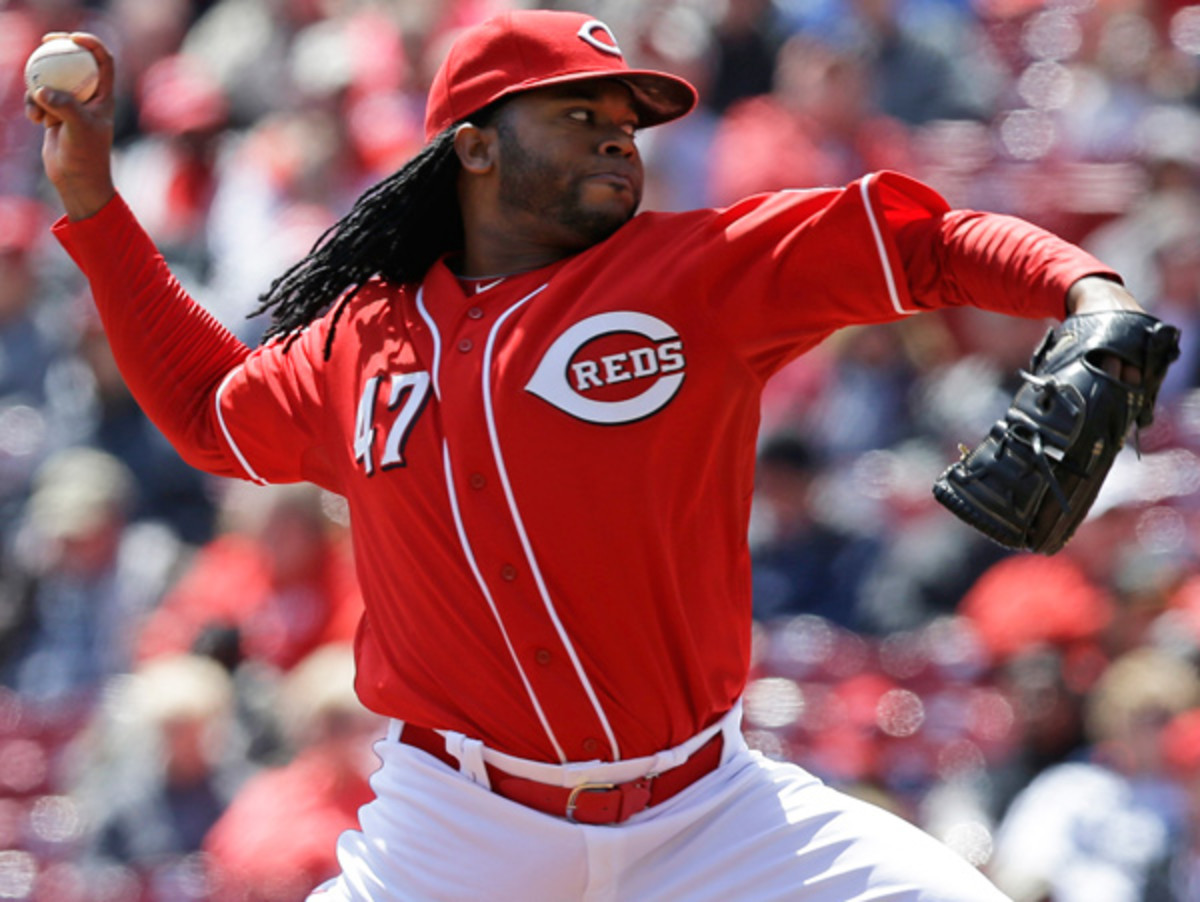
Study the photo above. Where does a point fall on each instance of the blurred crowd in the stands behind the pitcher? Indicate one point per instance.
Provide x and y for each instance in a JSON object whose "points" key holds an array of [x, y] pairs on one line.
{"points": [[176, 711]]}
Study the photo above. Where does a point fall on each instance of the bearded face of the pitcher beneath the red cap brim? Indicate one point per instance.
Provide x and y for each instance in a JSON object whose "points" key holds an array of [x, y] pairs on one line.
{"points": [[568, 161]]}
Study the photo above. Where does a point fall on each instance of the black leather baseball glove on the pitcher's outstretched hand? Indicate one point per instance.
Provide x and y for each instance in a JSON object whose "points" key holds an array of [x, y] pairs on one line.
{"points": [[1033, 480]]}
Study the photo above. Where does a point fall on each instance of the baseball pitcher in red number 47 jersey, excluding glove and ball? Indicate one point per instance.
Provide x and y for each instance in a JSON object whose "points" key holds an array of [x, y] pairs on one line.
{"points": [[542, 408]]}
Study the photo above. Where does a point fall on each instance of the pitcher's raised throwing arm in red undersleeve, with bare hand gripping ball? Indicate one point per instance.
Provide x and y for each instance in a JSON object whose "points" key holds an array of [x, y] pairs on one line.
{"points": [[173, 356]]}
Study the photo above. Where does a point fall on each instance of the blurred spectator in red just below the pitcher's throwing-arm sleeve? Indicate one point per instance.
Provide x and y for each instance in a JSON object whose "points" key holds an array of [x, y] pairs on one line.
{"points": [[279, 581]]}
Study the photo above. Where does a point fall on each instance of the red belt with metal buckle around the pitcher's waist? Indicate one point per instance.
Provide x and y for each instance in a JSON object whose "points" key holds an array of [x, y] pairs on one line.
{"points": [[589, 803]]}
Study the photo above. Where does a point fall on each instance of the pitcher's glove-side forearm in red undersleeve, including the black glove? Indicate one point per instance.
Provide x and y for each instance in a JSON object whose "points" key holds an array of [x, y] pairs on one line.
{"points": [[1031, 482]]}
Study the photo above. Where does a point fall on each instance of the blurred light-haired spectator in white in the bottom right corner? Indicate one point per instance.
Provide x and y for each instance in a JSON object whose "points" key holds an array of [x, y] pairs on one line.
{"points": [[1106, 827]]}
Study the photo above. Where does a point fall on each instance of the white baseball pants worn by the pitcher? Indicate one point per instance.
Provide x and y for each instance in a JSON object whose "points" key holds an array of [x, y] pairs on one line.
{"points": [[754, 829]]}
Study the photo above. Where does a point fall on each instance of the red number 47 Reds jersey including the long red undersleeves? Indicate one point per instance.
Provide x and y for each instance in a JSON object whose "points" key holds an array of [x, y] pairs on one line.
{"points": [[550, 477]]}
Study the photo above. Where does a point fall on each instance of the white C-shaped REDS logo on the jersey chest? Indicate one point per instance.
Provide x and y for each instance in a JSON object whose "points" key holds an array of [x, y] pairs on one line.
{"points": [[613, 369]]}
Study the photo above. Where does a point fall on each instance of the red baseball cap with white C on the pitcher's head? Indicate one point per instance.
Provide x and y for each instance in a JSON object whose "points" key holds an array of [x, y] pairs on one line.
{"points": [[524, 50]]}
